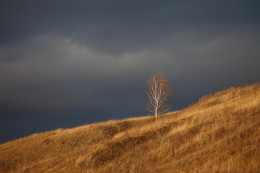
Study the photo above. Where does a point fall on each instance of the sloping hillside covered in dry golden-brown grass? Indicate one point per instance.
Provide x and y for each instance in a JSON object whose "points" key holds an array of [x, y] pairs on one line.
{"points": [[219, 133]]}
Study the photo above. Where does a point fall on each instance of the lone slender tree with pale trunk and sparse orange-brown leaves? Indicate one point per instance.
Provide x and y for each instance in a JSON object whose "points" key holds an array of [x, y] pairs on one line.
{"points": [[158, 92]]}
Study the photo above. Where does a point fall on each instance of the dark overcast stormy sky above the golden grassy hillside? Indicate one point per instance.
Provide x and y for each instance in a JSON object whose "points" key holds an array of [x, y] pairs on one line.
{"points": [[68, 63]]}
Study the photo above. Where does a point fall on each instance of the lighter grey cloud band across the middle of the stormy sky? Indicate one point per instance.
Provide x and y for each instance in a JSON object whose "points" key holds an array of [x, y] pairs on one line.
{"points": [[59, 72]]}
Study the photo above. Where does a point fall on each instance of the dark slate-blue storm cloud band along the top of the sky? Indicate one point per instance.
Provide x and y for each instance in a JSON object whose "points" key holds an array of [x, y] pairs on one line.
{"points": [[119, 26]]}
